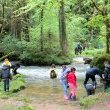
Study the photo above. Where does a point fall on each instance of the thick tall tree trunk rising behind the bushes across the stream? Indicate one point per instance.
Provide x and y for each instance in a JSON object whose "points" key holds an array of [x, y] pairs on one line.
{"points": [[62, 29]]}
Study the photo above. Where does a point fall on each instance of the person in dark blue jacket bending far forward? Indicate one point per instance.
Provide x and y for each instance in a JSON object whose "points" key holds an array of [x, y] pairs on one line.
{"points": [[90, 74]]}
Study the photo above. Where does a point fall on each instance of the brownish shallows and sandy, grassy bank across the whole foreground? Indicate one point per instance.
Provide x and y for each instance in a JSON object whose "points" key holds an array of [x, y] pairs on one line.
{"points": [[42, 96]]}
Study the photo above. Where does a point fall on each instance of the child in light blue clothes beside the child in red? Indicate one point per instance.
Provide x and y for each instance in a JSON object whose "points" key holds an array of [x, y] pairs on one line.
{"points": [[63, 81]]}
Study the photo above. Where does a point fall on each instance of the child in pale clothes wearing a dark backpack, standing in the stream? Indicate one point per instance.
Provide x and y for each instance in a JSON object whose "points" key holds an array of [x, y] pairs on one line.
{"points": [[53, 74]]}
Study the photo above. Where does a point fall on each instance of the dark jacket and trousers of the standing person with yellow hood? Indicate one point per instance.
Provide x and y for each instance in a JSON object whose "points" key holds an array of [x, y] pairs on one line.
{"points": [[6, 77]]}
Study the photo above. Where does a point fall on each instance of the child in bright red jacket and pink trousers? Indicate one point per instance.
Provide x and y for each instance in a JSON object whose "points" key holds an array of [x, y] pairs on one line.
{"points": [[71, 79]]}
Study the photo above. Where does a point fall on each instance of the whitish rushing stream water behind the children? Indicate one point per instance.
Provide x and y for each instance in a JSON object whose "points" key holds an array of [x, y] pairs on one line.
{"points": [[40, 73]]}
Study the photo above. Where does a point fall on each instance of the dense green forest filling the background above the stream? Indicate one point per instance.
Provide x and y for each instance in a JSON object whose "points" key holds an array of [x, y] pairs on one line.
{"points": [[46, 31]]}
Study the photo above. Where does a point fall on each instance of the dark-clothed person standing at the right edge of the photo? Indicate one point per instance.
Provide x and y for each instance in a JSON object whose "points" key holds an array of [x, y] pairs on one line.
{"points": [[107, 75]]}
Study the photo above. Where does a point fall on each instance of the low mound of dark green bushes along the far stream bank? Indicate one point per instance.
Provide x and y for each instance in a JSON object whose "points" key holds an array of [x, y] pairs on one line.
{"points": [[44, 58]]}
